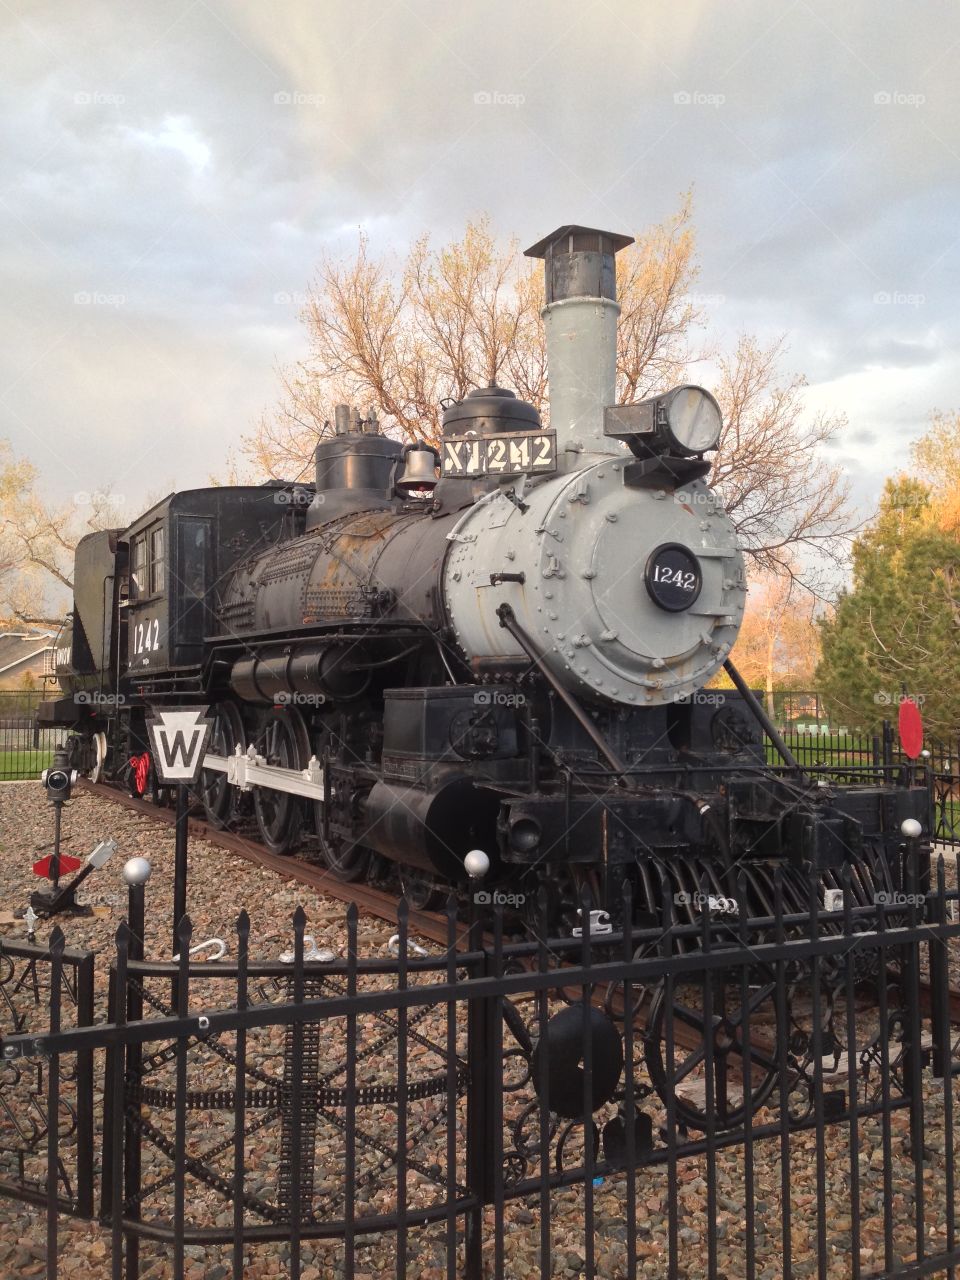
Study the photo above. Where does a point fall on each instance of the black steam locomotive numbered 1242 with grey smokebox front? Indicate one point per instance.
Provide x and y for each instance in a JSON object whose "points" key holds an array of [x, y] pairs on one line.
{"points": [[502, 644]]}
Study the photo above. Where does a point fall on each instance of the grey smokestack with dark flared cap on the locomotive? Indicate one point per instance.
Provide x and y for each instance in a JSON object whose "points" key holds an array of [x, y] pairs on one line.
{"points": [[580, 319]]}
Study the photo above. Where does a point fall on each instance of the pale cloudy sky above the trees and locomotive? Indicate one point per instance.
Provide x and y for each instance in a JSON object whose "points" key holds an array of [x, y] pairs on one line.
{"points": [[172, 171]]}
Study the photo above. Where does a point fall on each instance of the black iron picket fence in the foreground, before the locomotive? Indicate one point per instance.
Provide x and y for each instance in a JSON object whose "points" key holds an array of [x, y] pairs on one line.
{"points": [[717, 1094]]}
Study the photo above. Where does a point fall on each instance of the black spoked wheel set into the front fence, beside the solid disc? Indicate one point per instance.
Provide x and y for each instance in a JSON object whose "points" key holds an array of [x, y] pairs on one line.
{"points": [[688, 1082]]}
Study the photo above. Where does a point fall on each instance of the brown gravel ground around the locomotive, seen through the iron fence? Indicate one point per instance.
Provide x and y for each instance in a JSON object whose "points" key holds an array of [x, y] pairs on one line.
{"points": [[221, 885]]}
